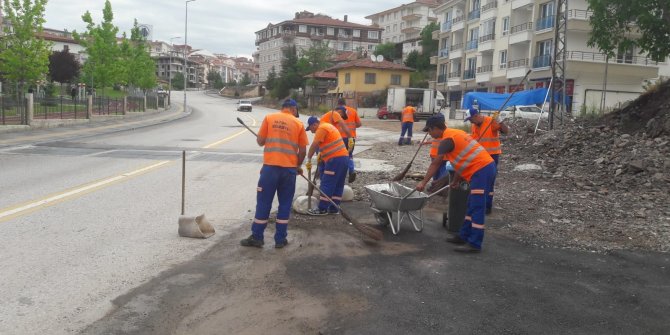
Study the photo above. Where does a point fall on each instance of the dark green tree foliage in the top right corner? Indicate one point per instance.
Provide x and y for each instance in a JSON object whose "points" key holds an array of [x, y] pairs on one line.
{"points": [[615, 24]]}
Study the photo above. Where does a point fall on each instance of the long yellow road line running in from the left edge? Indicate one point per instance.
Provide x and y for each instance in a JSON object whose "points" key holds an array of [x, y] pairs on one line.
{"points": [[50, 200]]}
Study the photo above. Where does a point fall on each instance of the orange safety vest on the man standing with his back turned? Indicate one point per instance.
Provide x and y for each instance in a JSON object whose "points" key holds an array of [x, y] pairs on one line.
{"points": [[284, 134]]}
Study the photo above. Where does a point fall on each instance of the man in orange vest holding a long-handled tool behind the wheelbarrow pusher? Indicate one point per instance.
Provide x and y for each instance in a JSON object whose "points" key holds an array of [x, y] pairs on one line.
{"points": [[486, 130]]}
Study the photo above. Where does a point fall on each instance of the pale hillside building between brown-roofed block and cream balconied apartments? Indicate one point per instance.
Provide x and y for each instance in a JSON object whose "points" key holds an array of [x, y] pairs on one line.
{"points": [[403, 24]]}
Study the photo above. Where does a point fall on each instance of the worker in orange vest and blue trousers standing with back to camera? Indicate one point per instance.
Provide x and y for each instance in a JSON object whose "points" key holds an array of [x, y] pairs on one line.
{"points": [[285, 144]]}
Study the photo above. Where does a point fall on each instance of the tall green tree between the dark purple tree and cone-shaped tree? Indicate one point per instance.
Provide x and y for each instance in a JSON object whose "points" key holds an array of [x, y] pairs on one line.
{"points": [[102, 68]]}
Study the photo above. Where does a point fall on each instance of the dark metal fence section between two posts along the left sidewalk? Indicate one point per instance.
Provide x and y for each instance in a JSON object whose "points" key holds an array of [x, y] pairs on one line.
{"points": [[59, 108]]}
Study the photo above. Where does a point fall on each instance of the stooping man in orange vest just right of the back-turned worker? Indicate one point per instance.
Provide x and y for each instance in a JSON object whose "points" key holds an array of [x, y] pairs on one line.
{"points": [[335, 157]]}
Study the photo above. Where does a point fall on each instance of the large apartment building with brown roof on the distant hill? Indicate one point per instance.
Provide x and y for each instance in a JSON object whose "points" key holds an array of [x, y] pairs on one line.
{"points": [[305, 29]]}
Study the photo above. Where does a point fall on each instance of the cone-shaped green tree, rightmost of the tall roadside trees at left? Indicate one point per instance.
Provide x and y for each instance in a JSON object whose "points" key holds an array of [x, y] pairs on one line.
{"points": [[137, 68]]}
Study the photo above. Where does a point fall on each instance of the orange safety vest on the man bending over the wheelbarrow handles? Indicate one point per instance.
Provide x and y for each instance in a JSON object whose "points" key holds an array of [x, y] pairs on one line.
{"points": [[468, 156]]}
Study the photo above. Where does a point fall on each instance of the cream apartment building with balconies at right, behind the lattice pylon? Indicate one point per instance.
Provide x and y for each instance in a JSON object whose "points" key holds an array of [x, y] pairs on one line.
{"points": [[489, 45]]}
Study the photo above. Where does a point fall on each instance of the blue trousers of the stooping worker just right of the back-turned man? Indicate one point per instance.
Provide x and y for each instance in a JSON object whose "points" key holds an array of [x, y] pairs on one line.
{"points": [[332, 181]]}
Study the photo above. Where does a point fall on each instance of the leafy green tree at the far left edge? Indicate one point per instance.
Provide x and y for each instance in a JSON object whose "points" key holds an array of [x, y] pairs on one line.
{"points": [[25, 57]]}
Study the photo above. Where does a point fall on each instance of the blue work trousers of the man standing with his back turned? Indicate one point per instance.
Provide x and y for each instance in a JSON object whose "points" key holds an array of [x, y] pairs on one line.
{"points": [[279, 180]]}
